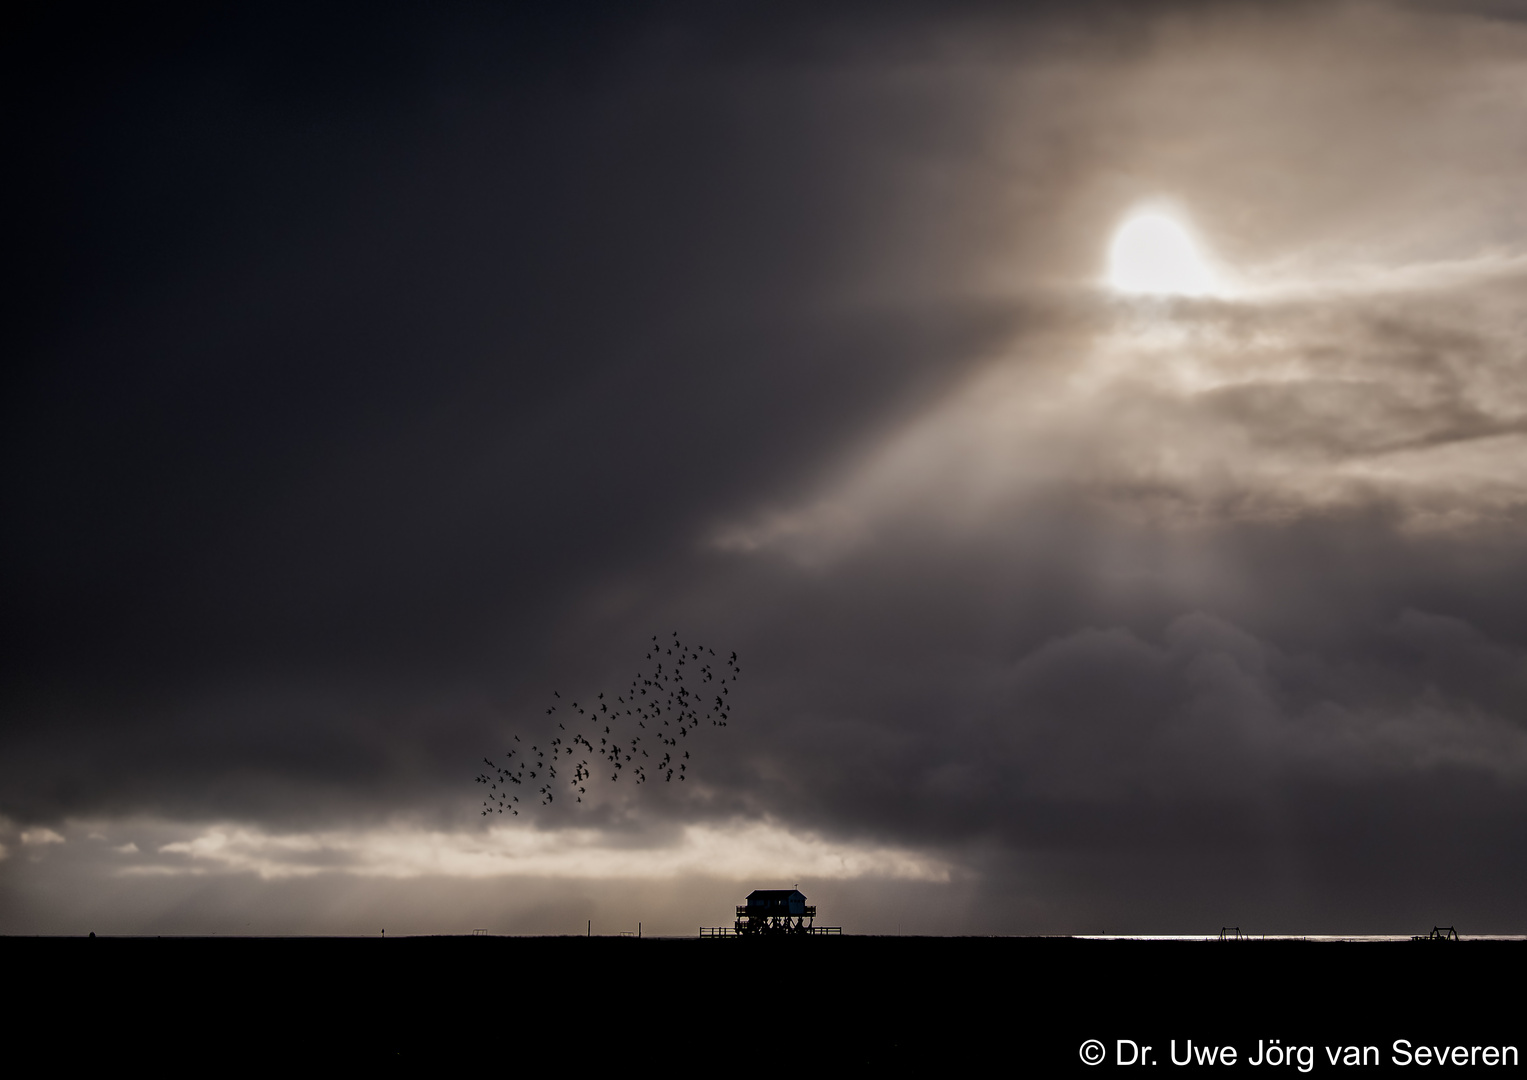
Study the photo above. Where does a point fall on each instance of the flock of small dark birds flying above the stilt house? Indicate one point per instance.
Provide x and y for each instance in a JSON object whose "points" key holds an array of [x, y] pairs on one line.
{"points": [[644, 732]]}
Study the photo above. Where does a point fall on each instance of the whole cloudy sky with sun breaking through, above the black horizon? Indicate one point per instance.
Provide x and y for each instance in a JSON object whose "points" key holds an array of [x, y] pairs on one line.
{"points": [[372, 373]]}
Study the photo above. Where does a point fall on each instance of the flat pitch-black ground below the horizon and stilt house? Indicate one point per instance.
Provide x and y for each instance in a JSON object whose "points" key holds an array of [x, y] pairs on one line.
{"points": [[755, 1007]]}
